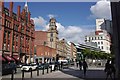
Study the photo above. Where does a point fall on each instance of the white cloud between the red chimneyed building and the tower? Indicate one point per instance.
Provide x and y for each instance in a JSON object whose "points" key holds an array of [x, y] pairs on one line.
{"points": [[39, 22]]}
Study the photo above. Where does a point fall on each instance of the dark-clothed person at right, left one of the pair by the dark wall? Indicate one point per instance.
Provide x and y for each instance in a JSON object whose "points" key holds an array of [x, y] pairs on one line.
{"points": [[108, 69]]}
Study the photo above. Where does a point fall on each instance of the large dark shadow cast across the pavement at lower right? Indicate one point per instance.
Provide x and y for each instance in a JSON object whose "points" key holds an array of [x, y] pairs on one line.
{"points": [[90, 75]]}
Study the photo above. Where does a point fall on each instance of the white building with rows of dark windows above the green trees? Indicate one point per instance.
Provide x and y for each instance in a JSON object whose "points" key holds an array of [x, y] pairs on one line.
{"points": [[101, 38]]}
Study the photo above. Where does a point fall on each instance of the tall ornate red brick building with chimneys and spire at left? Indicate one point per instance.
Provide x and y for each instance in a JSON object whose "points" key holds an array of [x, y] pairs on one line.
{"points": [[16, 32]]}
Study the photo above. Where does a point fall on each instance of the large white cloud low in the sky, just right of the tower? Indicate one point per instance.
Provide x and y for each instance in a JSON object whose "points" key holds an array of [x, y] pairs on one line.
{"points": [[74, 33]]}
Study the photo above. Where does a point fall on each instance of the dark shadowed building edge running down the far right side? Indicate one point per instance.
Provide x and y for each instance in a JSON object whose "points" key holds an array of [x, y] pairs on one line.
{"points": [[115, 8]]}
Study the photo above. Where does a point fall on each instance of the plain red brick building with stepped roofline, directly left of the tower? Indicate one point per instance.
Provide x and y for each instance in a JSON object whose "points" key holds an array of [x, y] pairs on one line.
{"points": [[43, 51]]}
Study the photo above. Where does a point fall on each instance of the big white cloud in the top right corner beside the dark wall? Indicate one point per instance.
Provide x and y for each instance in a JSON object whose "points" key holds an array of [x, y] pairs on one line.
{"points": [[101, 9]]}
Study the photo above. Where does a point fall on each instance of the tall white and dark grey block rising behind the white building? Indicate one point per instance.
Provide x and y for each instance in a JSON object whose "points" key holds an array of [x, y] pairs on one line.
{"points": [[103, 24]]}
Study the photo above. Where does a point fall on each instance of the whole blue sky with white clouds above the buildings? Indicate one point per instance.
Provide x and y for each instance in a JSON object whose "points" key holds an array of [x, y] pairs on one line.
{"points": [[74, 19]]}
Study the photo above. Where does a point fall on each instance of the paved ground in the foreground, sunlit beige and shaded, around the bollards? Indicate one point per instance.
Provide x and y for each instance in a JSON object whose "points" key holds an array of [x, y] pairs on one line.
{"points": [[71, 72]]}
